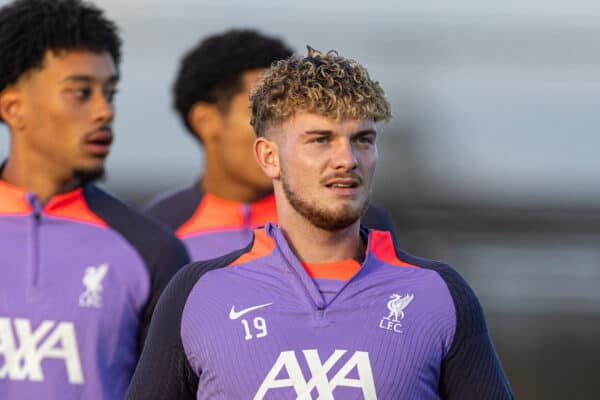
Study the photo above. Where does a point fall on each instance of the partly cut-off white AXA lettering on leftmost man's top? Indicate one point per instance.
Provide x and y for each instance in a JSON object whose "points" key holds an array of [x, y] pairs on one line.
{"points": [[49, 340]]}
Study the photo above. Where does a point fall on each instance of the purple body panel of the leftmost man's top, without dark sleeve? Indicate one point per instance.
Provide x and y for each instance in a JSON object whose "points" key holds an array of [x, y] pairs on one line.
{"points": [[70, 297]]}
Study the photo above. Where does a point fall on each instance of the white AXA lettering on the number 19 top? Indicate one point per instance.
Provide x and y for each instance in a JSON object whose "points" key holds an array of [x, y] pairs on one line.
{"points": [[295, 379]]}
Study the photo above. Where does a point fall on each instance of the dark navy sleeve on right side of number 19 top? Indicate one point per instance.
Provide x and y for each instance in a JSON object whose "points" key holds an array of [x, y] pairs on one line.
{"points": [[471, 370]]}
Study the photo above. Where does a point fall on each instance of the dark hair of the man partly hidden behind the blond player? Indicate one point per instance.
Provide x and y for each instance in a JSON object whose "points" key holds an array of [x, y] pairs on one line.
{"points": [[212, 70]]}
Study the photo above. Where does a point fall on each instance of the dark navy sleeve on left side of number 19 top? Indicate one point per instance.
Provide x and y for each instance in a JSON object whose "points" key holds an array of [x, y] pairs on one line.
{"points": [[163, 370]]}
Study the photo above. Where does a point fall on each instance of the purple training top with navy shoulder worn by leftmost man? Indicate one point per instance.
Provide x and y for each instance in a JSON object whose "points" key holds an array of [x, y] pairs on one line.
{"points": [[79, 278]]}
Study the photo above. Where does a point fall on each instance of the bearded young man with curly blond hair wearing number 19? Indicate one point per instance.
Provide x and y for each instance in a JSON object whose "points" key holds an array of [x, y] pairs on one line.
{"points": [[318, 307]]}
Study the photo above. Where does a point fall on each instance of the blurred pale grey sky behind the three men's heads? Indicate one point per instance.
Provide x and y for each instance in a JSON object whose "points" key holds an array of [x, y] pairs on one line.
{"points": [[495, 104]]}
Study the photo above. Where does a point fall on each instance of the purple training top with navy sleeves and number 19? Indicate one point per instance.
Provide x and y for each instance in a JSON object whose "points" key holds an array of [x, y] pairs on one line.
{"points": [[254, 325]]}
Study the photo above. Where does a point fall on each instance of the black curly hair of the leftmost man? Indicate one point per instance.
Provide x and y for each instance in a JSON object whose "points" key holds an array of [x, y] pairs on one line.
{"points": [[29, 28]]}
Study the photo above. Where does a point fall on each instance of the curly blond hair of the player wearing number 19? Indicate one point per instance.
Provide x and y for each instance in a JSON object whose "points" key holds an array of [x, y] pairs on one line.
{"points": [[325, 84]]}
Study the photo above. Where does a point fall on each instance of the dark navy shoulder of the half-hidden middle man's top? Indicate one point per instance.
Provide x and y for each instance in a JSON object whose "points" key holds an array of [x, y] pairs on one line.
{"points": [[174, 207]]}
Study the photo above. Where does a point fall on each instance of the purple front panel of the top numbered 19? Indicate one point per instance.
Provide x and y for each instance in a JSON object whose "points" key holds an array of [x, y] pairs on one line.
{"points": [[263, 330]]}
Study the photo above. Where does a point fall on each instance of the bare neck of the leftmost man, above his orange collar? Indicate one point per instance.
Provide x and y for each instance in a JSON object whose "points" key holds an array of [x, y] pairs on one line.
{"points": [[36, 179]]}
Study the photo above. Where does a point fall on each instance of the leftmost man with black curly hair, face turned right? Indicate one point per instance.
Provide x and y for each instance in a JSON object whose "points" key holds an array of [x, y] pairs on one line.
{"points": [[80, 272]]}
